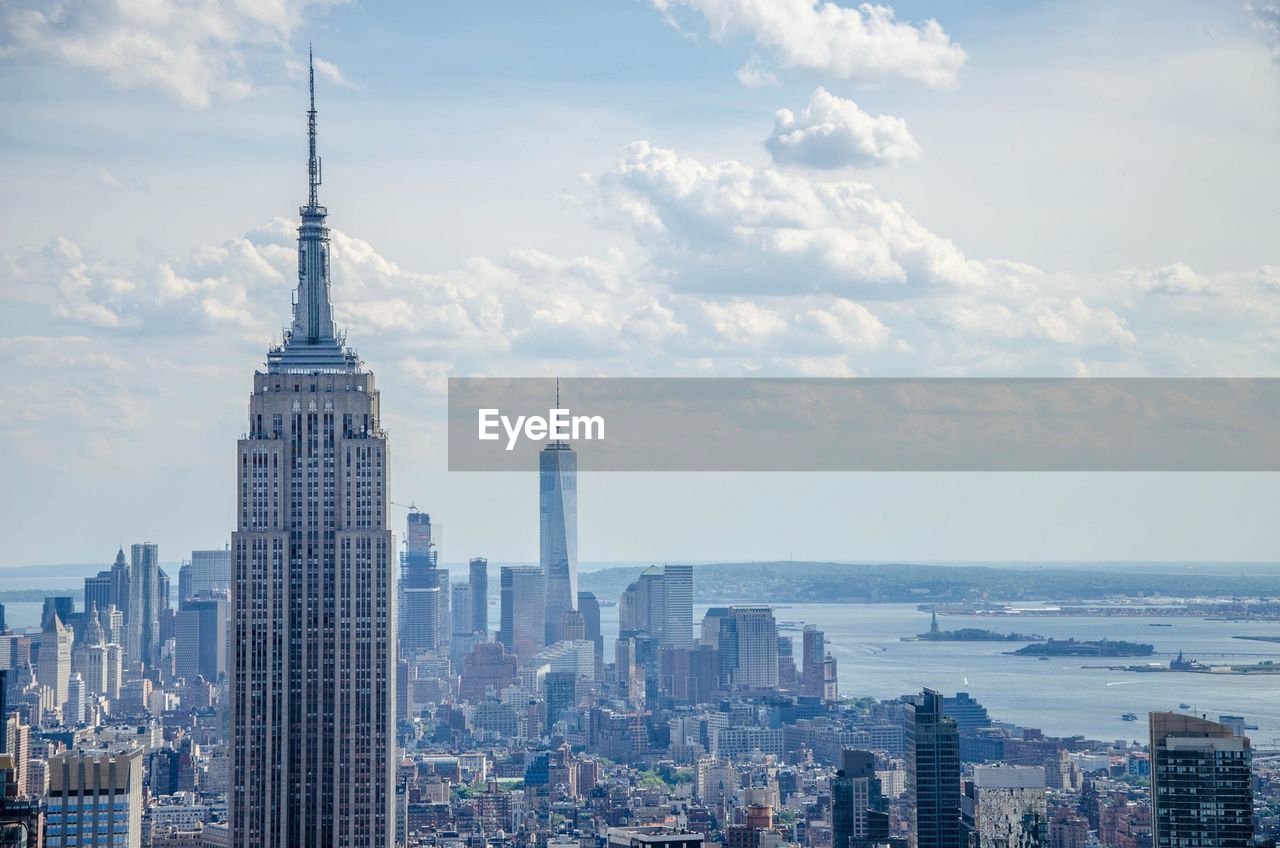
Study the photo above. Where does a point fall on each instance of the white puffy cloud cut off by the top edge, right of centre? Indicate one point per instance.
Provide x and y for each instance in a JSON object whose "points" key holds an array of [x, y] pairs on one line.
{"points": [[866, 44]]}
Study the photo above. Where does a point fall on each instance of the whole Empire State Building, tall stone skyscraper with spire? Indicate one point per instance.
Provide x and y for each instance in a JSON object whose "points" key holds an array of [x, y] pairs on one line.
{"points": [[314, 589]]}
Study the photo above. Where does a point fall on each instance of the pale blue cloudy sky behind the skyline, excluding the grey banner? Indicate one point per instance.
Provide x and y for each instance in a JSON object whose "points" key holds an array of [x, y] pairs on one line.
{"points": [[633, 188]]}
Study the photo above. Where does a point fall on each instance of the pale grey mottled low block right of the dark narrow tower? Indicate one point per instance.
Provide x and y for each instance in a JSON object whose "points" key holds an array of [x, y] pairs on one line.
{"points": [[1005, 808]]}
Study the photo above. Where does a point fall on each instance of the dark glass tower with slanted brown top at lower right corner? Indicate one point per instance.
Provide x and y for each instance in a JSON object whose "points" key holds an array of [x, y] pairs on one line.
{"points": [[1200, 783]]}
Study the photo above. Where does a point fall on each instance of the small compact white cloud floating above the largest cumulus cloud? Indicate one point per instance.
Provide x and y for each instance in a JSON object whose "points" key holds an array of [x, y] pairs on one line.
{"points": [[834, 133]]}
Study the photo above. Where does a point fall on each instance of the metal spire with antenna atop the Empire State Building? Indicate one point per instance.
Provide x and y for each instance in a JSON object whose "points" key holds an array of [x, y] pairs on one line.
{"points": [[313, 344]]}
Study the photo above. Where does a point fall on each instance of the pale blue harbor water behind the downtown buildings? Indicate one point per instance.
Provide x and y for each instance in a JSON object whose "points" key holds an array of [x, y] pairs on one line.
{"points": [[1060, 696]]}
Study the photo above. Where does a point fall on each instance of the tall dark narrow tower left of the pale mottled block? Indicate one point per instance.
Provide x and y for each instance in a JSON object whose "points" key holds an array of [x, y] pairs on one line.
{"points": [[934, 774]]}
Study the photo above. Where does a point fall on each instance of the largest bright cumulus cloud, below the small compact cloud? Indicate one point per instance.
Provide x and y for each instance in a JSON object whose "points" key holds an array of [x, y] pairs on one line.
{"points": [[732, 227]]}
